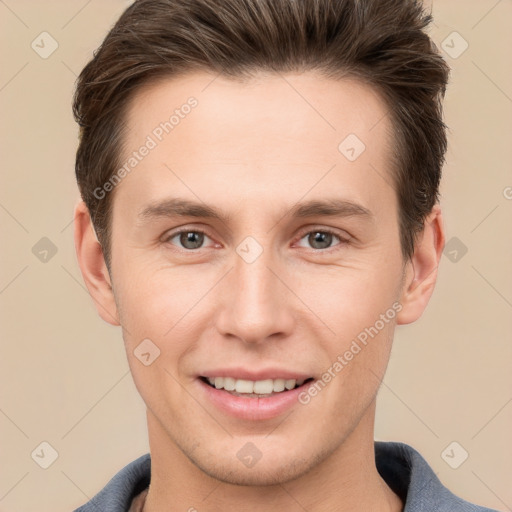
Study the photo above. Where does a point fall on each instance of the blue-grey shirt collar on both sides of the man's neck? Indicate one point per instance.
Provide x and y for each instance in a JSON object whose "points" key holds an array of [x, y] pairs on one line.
{"points": [[401, 466]]}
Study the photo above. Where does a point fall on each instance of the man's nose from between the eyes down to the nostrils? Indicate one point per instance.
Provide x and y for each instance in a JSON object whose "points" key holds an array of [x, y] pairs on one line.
{"points": [[255, 308]]}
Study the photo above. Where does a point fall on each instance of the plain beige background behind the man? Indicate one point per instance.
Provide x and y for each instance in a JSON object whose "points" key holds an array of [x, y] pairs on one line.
{"points": [[64, 377]]}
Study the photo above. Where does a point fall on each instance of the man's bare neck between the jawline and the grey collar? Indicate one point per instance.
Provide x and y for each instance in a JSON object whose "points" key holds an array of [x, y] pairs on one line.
{"points": [[344, 481]]}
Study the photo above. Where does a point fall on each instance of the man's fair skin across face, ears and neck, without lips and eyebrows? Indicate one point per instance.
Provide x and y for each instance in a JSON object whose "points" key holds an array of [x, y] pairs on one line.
{"points": [[254, 150]]}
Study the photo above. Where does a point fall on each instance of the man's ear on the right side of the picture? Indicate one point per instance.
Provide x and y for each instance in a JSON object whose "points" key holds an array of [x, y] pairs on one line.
{"points": [[421, 270]]}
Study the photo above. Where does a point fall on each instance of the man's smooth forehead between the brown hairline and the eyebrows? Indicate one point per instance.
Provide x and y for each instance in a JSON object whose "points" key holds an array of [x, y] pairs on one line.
{"points": [[273, 135]]}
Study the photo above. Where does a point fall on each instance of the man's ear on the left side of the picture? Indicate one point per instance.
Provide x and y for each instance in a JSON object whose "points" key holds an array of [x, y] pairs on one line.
{"points": [[92, 265]]}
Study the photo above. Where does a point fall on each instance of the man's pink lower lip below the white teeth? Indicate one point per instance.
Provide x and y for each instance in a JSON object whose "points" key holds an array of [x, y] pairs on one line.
{"points": [[252, 408]]}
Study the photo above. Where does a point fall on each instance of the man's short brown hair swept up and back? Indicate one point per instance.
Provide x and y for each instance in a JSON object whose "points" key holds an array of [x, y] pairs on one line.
{"points": [[380, 42]]}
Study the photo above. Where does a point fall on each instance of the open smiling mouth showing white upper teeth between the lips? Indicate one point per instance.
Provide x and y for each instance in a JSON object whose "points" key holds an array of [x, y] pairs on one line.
{"points": [[254, 389]]}
